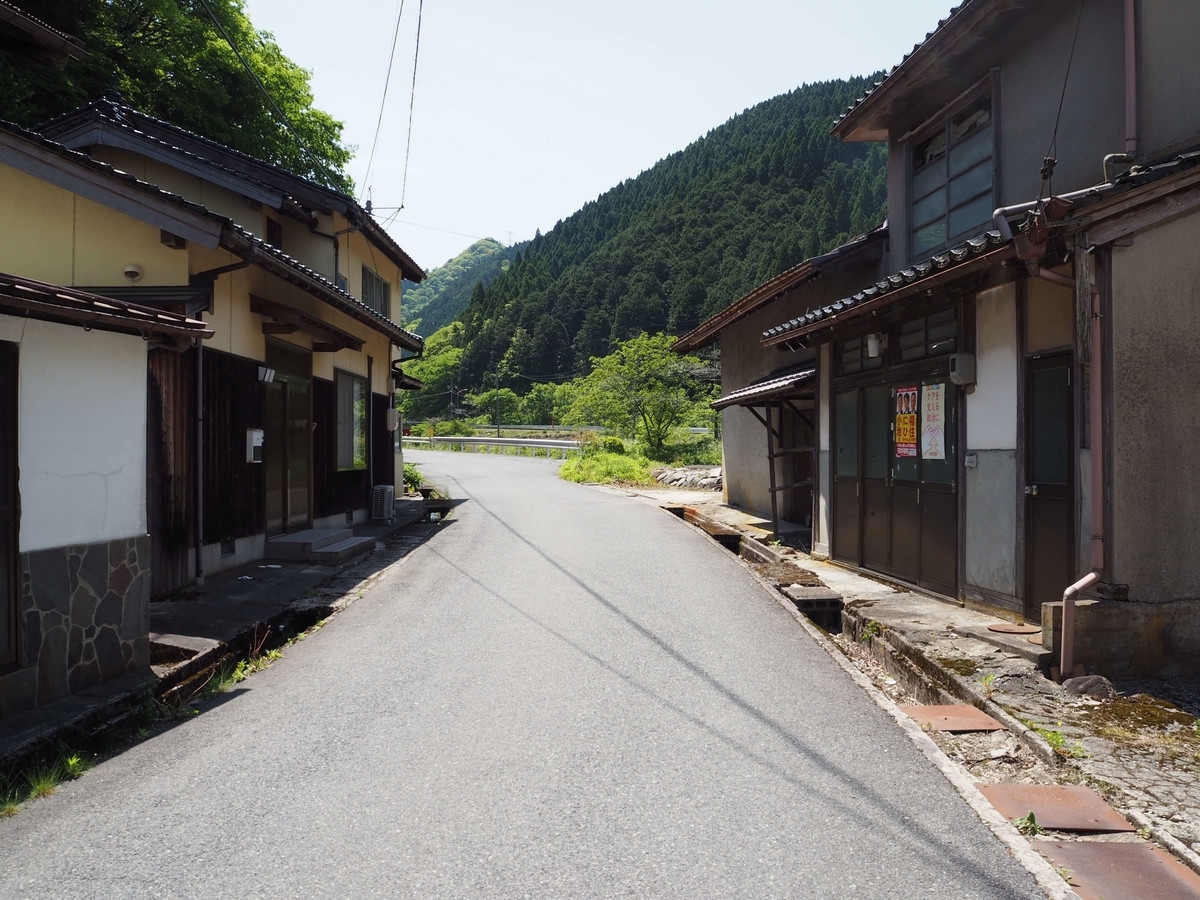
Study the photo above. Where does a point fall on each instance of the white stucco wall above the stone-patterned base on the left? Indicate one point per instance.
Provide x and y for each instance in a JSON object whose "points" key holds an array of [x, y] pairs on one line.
{"points": [[82, 434]]}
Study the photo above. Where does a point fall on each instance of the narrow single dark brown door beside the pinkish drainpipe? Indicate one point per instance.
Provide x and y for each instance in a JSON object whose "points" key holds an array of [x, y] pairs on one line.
{"points": [[1049, 490]]}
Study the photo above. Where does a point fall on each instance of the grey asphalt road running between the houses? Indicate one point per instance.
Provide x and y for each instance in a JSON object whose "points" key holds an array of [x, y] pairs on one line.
{"points": [[563, 694]]}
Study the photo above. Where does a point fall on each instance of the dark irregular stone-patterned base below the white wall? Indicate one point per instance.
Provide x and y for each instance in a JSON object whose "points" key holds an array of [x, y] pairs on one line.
{"points": [[85, 620]]}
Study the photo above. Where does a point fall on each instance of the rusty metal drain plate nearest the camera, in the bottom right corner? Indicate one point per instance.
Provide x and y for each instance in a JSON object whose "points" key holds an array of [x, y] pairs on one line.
{"points": [[1106, 872]]}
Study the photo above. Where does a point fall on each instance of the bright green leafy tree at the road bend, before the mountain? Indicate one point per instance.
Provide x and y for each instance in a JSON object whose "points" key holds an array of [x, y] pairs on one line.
{"points": [[643, 388]]}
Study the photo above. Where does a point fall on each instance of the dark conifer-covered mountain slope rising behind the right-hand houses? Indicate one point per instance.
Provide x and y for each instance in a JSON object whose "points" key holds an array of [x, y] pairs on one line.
{"points": [[667, 250]]}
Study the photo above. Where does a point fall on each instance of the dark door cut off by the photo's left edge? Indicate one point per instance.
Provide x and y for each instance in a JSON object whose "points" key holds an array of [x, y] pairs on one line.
{"points": [[9, 518]]}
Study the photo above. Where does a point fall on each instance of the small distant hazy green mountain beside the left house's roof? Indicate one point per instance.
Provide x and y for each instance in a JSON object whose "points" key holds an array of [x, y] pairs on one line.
{"points": [[446, 292]]}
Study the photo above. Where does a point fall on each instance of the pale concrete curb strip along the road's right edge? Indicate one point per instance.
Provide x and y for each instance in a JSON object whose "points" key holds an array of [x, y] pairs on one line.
{"points": [[1037, 866]]}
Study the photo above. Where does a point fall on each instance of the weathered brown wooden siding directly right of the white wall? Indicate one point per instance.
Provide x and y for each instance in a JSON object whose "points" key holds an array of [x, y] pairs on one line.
{"points": [[171, 449]]}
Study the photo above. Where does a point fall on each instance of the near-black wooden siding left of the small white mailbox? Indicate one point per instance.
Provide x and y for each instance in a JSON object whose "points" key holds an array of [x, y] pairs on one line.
{"points": [[233, 488]]}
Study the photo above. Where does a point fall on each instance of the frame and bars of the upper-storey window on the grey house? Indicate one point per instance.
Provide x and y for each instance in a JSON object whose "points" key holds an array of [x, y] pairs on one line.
{"points": [[943, 123]]}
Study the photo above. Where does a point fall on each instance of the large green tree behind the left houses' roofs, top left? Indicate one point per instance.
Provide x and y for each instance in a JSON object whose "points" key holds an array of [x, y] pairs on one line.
{"points": [[170, 61]]}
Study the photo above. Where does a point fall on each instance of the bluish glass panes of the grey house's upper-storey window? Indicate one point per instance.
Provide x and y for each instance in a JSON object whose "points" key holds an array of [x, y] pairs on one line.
{"points": [[951, 190]]}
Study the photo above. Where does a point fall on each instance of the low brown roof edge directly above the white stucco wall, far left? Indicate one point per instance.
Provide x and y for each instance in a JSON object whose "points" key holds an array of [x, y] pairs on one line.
{"points": [[55, 302]]}
